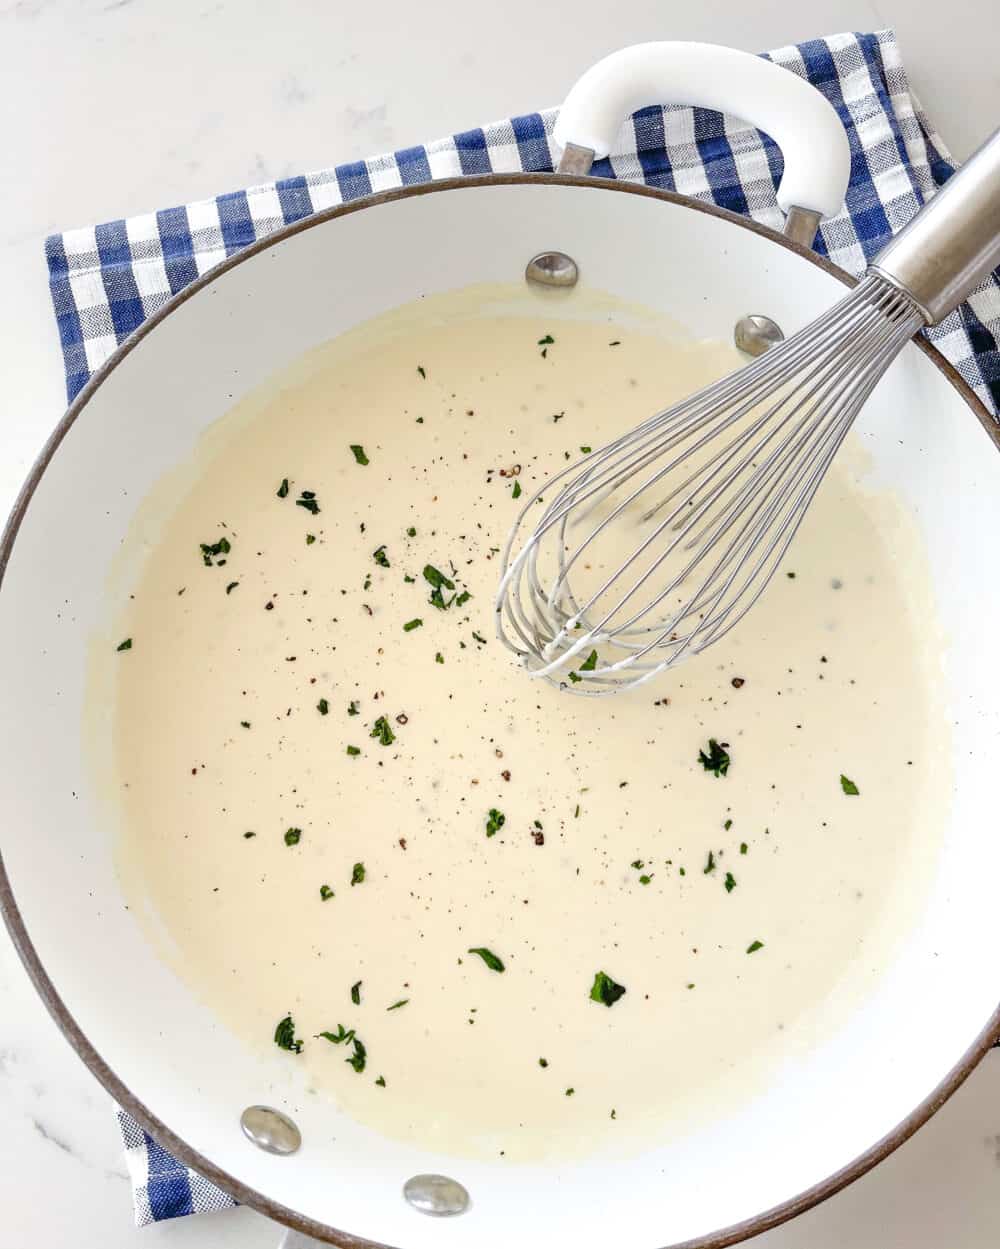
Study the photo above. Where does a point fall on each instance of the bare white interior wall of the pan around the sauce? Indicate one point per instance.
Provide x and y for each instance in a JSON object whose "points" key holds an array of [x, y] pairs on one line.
{"points": [[58, 847]]}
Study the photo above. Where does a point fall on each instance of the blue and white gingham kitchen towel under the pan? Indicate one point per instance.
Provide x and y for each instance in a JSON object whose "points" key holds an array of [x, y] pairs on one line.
{"points": [[107, 280]]}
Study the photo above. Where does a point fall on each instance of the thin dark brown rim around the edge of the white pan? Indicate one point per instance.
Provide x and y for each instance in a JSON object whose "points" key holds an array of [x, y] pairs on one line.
{"points": [[16, 925]]}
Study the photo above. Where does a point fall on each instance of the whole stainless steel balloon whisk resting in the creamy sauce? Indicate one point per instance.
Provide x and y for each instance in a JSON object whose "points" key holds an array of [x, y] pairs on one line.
{"points": [[661, 541]]}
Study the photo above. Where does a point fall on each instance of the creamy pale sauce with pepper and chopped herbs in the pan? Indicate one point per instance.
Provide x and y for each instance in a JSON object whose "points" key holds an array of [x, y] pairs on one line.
{"points": [[220, 733]]}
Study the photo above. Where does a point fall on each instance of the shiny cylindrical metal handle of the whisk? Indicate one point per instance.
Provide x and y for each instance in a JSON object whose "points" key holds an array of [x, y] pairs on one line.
{"points": [[953, 243]]}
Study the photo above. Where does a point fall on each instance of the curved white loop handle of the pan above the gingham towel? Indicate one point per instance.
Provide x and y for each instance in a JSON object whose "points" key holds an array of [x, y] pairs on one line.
{"points": [[796, 116]]}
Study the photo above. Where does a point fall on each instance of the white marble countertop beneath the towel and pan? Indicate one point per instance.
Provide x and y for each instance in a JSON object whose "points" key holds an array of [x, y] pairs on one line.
{"points": [[113, 107]]}
